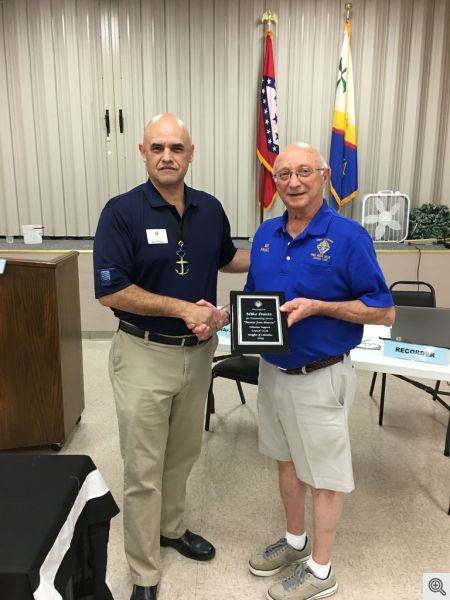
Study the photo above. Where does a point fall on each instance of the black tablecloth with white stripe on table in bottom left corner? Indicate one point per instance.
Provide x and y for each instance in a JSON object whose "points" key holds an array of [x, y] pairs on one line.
{"points": [[54, 526]]}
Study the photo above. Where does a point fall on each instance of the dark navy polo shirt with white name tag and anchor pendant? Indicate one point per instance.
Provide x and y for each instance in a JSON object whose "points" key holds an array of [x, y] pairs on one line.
{"points": [[134, 244]]}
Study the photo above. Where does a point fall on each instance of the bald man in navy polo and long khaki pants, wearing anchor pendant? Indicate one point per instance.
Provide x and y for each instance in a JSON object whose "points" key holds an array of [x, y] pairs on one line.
{"points": [[157, 251]]}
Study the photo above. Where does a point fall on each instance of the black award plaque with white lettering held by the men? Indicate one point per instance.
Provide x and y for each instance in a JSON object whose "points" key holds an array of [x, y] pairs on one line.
{"points": [[257, 325]]}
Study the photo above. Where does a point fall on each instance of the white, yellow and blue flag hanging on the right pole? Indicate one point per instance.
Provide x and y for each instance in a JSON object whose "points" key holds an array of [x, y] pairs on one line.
{"points": [[343, 151]]}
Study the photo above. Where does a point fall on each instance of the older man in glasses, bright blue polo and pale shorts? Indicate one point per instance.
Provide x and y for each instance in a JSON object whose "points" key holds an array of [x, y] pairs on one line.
{"points": [[327, 268]]}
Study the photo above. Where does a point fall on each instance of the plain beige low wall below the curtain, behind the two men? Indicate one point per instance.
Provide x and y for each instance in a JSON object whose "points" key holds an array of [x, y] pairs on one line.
{"points": [[432, 266]]}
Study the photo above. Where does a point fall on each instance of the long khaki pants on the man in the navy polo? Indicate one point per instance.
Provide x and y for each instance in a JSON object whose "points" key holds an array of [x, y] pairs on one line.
{"points": [[160, 393]]}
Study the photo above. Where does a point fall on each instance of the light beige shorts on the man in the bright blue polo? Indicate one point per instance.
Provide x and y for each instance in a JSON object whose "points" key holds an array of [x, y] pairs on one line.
{"points": [[304, 419]]}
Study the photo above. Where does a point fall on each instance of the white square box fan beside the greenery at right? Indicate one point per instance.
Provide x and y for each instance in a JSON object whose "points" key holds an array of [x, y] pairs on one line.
{"points": [[385, 215]]}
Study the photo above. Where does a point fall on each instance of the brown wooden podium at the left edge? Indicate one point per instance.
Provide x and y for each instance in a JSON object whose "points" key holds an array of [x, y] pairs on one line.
{"points": [[41, 381]]}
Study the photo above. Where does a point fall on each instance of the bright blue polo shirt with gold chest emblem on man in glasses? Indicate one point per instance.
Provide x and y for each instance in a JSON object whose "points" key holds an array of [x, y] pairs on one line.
{"points": [[333, 259]]}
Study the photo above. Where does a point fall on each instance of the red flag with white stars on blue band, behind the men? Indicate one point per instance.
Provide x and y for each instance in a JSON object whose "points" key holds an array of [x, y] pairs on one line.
{"points": [[267, 149]]}
